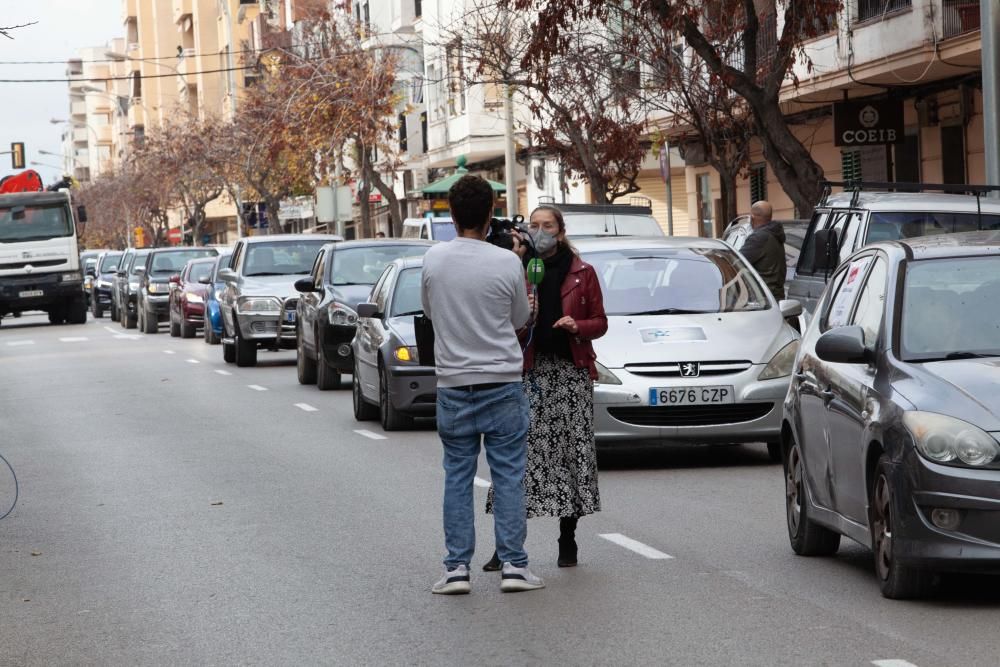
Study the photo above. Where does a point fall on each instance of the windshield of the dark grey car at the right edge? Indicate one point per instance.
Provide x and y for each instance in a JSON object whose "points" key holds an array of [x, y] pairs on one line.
{"points": [[950, 309]]}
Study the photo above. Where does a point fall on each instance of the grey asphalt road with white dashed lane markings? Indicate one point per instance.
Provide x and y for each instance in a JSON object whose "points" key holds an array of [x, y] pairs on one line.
{"points": [[177, 510]]}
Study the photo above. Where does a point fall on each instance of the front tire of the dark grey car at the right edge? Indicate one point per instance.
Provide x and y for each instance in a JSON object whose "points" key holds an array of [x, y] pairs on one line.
{"points": [[896, 580]]}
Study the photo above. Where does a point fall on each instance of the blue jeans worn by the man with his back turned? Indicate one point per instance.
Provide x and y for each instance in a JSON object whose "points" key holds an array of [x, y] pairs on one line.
{"points": [[499, 418]]}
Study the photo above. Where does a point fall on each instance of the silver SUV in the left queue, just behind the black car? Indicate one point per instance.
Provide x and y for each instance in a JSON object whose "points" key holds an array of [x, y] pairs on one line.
{"points": [[258, 302]]}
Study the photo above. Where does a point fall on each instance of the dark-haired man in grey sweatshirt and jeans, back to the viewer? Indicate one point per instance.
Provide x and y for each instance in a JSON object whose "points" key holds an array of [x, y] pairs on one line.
{"points": [[475, 294]]}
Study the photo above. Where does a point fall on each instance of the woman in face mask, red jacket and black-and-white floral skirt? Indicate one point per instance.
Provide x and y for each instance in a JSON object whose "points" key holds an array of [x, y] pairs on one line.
{"points": [[559, 370]]}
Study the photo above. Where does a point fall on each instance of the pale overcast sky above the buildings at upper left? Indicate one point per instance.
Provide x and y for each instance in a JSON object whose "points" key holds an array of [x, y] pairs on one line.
{"points": [[62, 27]]}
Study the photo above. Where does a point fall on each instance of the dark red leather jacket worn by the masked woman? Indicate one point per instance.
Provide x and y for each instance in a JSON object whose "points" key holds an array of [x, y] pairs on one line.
{"points": [[583, 301]]}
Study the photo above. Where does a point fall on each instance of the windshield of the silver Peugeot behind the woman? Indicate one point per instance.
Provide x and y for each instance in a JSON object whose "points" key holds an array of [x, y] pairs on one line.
{"points": [[676, 280]]}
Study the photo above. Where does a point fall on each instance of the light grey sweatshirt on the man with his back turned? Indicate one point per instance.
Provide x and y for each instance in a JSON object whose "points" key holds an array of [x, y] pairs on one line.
{"points": [[475, 294]]}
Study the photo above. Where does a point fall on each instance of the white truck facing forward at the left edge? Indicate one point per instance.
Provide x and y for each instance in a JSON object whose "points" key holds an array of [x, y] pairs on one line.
{"points": [[39, 256]]}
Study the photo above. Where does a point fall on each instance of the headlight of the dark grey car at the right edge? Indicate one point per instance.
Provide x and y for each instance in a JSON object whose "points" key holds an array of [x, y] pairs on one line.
{"points": [[951, 441]]}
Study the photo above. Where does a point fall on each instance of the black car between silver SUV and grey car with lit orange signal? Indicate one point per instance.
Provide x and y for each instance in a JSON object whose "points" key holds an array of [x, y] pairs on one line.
{"points": [[341, 278]]}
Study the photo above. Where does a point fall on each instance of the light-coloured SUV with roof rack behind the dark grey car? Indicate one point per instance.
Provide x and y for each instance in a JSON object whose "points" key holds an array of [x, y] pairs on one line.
{"points": [[842, 223]]}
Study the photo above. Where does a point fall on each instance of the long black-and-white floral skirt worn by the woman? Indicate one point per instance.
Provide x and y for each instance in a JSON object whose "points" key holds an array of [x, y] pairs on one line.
{"points": [[561, 475]]}
